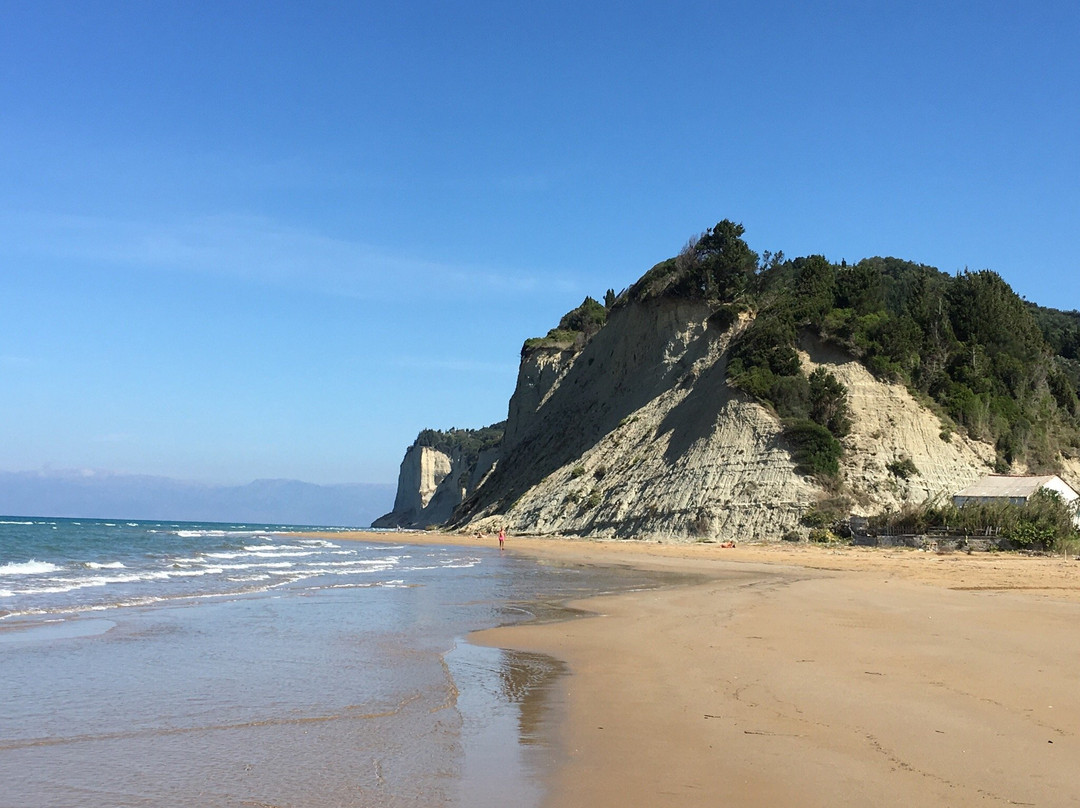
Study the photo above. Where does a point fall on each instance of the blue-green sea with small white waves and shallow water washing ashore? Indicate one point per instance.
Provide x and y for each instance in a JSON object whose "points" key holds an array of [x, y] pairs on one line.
{"points": [[168, 664]]}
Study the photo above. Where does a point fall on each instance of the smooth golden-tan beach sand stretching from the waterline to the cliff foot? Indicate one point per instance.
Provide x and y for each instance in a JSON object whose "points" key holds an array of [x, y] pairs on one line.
{"points": [[816, 677]]}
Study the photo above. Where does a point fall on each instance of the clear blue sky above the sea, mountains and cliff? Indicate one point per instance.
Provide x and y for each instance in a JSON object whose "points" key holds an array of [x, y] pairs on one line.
{"points": [[245, 240]]}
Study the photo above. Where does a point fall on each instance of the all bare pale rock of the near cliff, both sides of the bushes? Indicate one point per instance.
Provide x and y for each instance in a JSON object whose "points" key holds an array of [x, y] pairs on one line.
{"points": [[640, 436]]}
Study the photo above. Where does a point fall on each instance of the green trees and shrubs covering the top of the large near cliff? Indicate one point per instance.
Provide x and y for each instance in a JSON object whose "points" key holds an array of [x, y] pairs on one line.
{"points": [[1003, 370]]}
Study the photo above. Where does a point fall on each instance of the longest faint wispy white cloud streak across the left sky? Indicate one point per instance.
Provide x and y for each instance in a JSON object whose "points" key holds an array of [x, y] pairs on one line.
{"points": [[261, 251]]}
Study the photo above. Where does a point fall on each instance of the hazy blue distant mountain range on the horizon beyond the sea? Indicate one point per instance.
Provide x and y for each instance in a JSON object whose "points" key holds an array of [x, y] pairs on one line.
{"points": [[106, 495]]}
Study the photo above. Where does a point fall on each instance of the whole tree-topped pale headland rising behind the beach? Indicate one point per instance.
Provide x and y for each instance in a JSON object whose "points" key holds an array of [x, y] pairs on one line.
{"points": [[726, 396]]}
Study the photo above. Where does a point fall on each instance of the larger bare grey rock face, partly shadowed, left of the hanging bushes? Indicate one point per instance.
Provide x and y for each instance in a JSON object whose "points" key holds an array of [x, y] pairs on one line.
{"points": [[640, 435]]}
